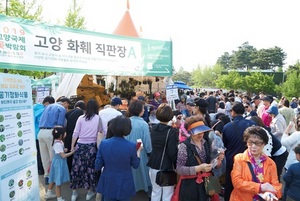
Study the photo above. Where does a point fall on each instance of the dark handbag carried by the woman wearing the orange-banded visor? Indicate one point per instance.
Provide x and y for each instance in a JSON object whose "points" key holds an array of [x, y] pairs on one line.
{"points": [[211, 183]]}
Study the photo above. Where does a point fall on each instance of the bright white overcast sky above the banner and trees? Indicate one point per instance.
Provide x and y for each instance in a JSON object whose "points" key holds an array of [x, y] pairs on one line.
{"points": [[201, 30]]}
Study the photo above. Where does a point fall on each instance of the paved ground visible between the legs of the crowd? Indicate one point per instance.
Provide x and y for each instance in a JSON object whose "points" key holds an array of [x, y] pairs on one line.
{"points": [[66, 193]]}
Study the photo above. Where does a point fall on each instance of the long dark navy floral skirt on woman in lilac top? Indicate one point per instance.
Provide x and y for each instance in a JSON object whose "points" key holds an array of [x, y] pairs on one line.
{"points": [[83, 174]]}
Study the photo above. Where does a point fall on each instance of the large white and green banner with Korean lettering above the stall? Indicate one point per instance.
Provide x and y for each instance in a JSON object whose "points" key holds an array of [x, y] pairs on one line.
{"points": [[30, 45]]}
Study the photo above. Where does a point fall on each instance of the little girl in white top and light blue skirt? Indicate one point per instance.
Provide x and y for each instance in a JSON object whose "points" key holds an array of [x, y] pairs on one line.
{"points": [[59, 172]]}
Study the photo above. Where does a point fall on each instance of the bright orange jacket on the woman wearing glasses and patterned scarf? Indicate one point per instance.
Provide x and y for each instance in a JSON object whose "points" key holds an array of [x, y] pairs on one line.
{"points": [[244, 187]]}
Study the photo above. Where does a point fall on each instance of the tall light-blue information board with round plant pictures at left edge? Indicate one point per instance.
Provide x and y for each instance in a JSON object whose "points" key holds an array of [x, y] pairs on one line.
{"points": [[18, 168]]}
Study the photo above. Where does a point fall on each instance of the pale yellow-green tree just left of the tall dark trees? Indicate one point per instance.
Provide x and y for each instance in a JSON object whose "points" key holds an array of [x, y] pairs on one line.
{"points": [[206, 76]]}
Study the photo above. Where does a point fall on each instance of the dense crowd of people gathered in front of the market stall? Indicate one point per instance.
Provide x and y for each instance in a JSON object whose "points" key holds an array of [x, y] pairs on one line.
{"points": [[114, 153]]}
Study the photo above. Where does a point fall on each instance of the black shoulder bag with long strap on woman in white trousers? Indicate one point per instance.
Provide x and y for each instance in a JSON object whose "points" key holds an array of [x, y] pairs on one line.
{"points": [[165, 177]]}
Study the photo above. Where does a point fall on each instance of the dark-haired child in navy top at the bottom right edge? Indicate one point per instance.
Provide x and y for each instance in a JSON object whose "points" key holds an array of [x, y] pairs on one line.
{"points": [[292, 179]]}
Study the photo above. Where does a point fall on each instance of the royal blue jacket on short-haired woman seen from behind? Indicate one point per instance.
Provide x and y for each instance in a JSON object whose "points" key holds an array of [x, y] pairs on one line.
{"points": [[117, 155]]}
